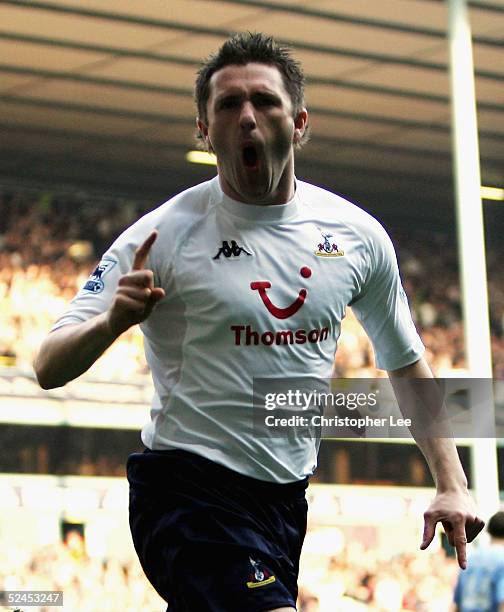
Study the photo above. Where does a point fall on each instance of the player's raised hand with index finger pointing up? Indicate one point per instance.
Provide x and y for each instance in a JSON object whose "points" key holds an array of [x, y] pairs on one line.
{"points": [[136, 295]]}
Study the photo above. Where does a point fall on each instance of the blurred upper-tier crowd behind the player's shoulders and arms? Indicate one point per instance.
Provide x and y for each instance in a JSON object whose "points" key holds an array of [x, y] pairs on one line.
{"points": [[49, 245]]}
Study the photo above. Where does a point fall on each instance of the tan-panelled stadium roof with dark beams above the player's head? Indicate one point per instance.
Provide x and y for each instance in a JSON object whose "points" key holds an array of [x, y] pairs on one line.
{"points": [[100, 93]]}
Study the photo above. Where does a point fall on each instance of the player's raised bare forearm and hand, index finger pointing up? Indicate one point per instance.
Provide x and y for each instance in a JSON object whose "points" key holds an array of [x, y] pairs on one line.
{"points": [[71, 350]]}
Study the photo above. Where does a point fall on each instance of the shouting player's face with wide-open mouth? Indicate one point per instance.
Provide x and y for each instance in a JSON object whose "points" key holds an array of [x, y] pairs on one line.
{"points": [[251, 129]]}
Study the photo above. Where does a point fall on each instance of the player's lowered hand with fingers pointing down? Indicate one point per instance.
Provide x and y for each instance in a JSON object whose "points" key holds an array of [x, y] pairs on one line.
{"points": [[455, 510]]}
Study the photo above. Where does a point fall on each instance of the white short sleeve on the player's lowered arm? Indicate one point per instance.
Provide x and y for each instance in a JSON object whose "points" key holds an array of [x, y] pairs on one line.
{"points": [[382, 307]]}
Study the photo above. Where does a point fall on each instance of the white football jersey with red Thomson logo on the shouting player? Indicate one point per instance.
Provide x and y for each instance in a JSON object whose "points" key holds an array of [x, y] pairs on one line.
{"points": [[252, 291]]}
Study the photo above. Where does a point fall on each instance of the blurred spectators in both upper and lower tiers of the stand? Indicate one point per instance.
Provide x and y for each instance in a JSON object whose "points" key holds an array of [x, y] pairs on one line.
{"points": [[50, 243]]}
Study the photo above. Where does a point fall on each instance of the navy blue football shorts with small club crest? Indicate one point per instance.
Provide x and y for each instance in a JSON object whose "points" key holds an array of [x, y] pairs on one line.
{"points": [[212, 540]]}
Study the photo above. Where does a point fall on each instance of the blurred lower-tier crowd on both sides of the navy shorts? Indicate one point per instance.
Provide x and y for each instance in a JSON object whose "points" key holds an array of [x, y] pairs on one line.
{"points": [[356, 579]]}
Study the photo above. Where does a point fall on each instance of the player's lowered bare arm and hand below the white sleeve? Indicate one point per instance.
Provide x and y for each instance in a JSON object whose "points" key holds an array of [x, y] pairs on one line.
{"points": [[452, 506]]}
